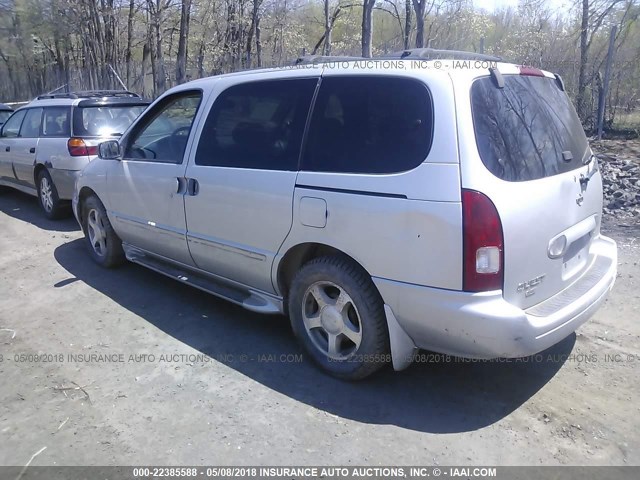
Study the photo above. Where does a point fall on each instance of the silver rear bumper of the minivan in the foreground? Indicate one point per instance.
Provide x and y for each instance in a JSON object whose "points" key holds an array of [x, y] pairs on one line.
{"points": [[484, 325]]}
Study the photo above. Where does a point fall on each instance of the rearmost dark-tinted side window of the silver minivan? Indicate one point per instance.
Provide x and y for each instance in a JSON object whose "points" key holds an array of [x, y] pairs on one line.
{"points": [[369, 125]]}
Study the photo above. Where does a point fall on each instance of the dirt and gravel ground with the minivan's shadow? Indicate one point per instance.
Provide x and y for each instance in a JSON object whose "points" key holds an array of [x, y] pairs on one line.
{"points": [[102, 367]]}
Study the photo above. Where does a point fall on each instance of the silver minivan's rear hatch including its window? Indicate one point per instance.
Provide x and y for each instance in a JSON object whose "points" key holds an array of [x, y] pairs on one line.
{"points": [[541, 176]]}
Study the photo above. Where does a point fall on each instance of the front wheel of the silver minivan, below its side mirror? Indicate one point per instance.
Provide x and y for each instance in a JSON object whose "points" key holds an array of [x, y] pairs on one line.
{"points": [[105, 247]]}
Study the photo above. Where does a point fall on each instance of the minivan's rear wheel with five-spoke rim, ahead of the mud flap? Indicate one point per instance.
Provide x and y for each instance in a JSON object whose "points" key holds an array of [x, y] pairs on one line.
{"points": [[338, 315]]}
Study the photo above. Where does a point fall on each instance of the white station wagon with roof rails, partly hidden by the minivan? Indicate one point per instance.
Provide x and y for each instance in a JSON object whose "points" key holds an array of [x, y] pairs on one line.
{"points": [[45, 144]]}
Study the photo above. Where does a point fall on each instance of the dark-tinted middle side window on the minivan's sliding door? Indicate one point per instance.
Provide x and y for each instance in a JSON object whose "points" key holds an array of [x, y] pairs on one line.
{"points": [[257, 125]]}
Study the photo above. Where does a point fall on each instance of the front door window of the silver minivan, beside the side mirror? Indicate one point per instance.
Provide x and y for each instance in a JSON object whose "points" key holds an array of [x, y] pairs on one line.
{"points": [[162, 136]]}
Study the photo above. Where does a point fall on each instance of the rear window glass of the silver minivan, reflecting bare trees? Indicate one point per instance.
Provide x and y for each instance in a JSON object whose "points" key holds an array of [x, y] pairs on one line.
{"points": [[526, 130]]}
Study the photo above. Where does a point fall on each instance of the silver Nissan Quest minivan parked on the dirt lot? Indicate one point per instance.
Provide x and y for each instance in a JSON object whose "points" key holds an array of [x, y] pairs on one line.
{"points": [[384, 205]]}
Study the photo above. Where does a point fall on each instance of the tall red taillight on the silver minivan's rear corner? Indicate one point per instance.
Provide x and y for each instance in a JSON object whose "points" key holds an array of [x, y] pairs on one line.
{"points": [[483, 243]]}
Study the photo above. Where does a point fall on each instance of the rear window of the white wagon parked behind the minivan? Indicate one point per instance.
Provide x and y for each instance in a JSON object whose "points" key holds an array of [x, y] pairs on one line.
{"points": [[104, 121]]}
